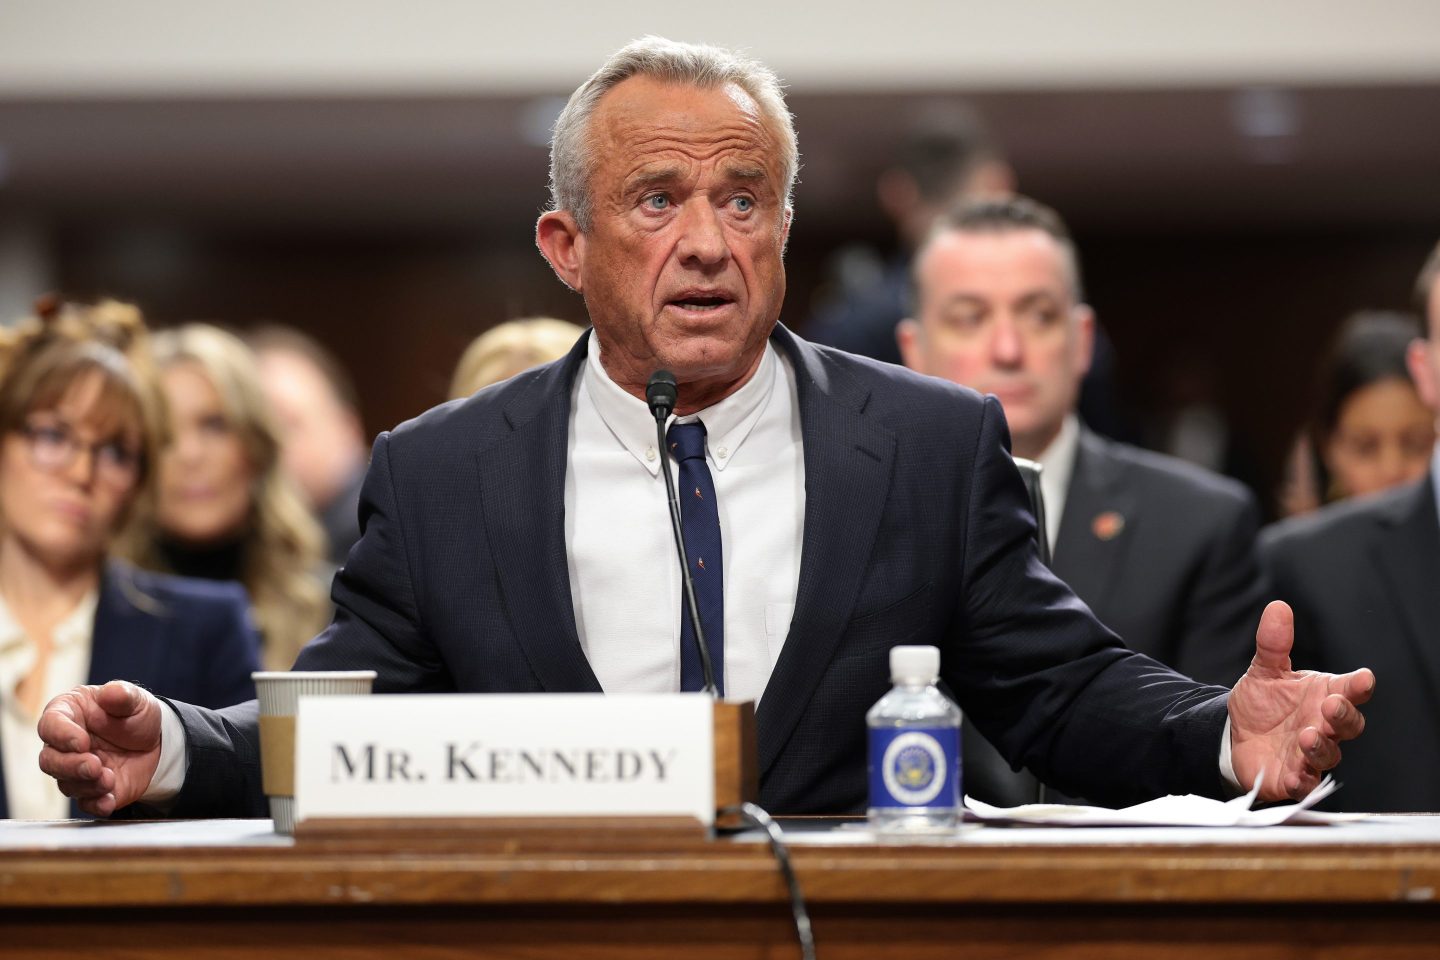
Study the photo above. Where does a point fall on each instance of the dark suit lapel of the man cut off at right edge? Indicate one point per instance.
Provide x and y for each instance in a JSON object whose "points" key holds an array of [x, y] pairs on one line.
{"points": [[1409, 563]]}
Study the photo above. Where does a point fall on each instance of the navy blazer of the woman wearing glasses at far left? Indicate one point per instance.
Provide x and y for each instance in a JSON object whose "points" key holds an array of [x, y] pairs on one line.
{"points": [[191, 640]]}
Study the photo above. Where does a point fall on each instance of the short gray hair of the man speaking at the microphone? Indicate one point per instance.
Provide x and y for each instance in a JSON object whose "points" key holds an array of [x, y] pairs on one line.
{"points": [[688, 64]]}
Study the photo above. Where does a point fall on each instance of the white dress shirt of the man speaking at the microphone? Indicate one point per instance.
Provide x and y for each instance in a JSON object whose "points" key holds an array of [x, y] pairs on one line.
{"points": [[626, 578]]}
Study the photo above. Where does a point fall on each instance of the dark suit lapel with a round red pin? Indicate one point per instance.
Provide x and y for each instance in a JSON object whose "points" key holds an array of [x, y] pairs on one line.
{"points": [[1097, 526]]}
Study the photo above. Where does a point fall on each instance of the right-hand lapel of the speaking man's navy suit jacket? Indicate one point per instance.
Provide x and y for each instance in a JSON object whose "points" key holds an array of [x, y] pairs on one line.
{"points": [[849, 464]]}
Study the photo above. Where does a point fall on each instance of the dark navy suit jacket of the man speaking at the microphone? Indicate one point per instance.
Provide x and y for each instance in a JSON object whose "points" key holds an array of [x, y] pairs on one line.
{"points": [[917, 532]]}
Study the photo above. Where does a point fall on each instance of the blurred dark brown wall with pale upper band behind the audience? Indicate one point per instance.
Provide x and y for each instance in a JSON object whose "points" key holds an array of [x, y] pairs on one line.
{"points": [[1239, 176]]}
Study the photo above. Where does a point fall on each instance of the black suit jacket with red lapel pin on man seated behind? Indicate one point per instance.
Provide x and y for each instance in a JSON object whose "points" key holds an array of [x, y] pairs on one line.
{"points": [[1179, 578]]}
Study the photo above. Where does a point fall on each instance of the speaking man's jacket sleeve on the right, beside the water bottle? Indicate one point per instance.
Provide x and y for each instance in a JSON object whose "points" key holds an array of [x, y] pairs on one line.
{"points": [[1052, 687]]}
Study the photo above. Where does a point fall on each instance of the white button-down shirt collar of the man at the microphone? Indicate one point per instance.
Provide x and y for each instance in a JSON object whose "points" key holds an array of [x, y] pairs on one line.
{"points": [[728, 424]]}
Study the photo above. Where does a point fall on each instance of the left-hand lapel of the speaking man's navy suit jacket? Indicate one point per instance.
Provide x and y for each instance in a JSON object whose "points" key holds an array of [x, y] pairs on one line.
{"points": [[522, 480]]}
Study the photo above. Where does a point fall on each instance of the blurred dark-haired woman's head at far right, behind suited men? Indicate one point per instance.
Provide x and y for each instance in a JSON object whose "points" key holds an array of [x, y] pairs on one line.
{"points": [[1372, 431]]}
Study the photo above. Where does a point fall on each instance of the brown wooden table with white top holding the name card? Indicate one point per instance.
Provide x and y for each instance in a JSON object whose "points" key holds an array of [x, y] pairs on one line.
{"points": [[228, 890]]}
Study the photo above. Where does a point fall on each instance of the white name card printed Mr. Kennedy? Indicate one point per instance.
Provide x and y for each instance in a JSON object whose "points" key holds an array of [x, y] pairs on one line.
{"points": [[492, 755]]}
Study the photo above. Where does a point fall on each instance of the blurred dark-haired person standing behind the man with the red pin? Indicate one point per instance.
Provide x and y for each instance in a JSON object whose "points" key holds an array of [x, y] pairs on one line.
{"points": [[950, 155]]}
